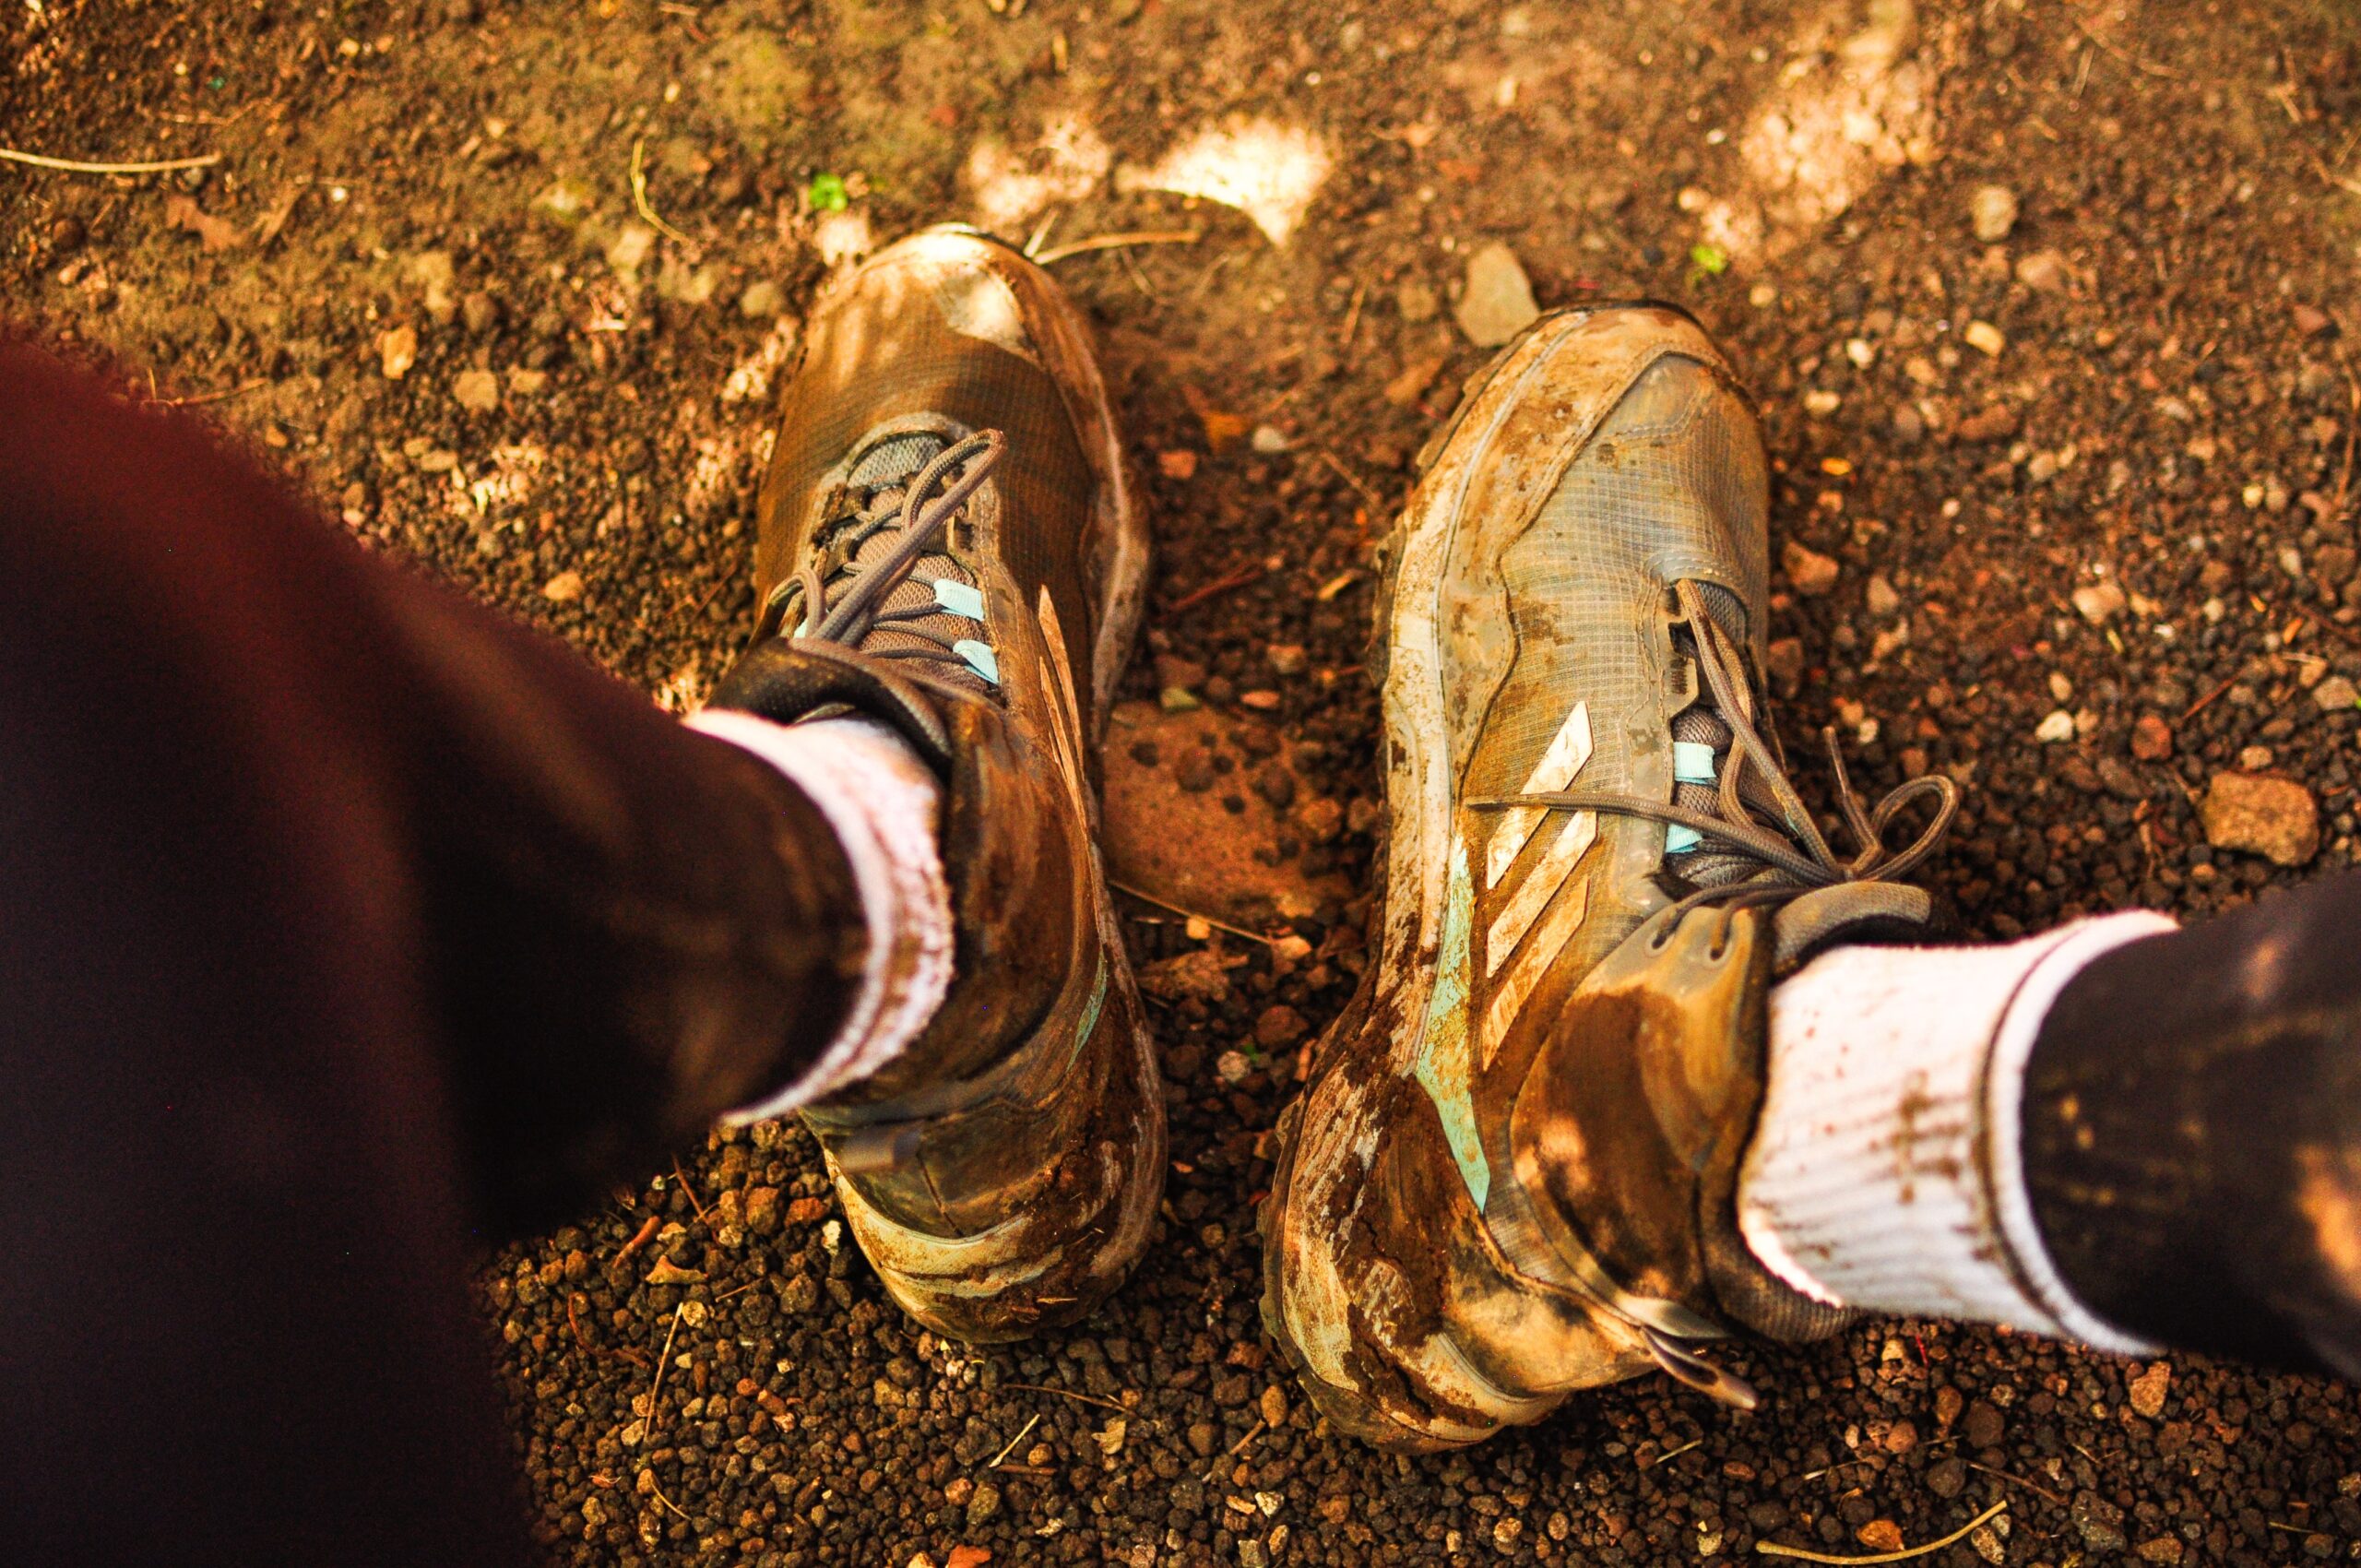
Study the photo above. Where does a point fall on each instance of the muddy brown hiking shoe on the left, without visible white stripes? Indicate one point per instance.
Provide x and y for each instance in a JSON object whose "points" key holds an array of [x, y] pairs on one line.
{"points": [[953, 544]]}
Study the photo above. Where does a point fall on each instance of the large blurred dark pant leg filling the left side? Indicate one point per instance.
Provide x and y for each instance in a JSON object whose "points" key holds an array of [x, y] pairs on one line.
{"points": [[339, 920]]}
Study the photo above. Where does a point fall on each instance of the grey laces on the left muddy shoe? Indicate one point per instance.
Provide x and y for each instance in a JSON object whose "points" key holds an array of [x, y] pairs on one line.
{"points": [[858, 608]]}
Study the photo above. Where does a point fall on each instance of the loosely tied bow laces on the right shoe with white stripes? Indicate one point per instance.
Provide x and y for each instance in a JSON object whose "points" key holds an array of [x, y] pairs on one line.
{"points": [[1788, 854]]}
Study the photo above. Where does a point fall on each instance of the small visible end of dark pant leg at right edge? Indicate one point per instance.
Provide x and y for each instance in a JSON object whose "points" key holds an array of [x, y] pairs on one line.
{"points": [[2195, 1132]]}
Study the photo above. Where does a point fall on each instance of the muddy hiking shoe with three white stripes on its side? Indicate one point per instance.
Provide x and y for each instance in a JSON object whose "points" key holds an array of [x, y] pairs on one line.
{"points": [[1515, 1168]]}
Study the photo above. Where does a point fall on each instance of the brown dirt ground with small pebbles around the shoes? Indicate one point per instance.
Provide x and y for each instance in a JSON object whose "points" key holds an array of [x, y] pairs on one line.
{"points": [[2048, 306]]}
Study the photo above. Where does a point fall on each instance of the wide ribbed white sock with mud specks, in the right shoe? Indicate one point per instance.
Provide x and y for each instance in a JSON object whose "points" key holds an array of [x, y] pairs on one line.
{"points": [[1888, 1168]]}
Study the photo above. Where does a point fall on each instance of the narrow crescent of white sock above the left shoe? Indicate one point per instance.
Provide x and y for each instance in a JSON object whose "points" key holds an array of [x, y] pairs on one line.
{"points": [[882, 802]]}
